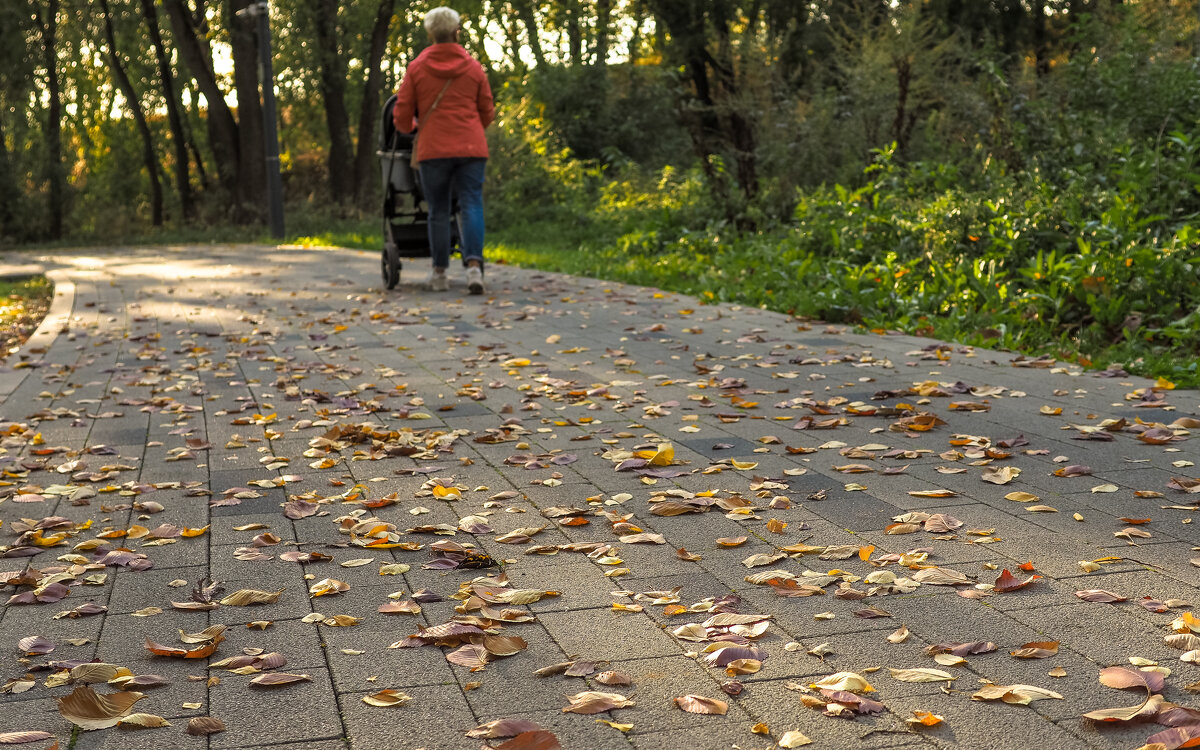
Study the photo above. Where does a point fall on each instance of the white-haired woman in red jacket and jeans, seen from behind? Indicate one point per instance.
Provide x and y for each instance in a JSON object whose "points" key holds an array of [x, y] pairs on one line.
{"points": [[447, 91]]}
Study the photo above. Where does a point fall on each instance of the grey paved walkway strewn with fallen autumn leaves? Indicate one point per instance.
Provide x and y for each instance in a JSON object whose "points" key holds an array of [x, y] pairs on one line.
{"points": [[271, 421]]}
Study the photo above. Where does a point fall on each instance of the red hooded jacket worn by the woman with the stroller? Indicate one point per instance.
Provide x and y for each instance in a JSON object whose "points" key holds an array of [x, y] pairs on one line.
{"points": [[455, 129]]}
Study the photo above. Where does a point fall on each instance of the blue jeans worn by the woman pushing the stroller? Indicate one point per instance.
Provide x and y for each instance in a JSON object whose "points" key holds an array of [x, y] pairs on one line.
{"points": [[464, 179]]}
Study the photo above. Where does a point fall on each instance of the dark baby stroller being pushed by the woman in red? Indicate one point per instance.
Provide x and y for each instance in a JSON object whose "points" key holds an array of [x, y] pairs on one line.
{"points": [[405, 212]]}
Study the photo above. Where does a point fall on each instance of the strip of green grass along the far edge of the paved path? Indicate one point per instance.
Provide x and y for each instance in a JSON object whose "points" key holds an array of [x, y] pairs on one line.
{"points": [[736, 272]]}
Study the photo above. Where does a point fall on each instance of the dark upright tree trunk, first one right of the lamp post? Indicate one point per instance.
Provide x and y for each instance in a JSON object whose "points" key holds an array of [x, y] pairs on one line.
{"points": [[332, 82]]}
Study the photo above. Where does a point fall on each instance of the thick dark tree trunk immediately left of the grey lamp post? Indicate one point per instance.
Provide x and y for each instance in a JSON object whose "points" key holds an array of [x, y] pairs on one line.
{"points": [[251, 181]]}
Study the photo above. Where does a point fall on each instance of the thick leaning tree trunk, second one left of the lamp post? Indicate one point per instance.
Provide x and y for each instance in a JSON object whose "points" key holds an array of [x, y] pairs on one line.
{"points": [[221, 125]]}
